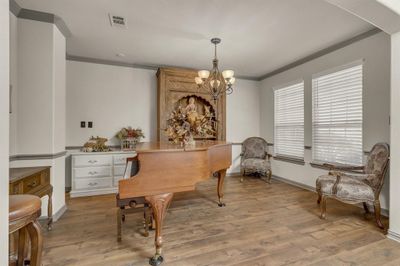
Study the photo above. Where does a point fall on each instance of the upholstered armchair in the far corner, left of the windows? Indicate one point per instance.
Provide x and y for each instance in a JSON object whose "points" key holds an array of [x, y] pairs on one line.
{"points": [[255, 159]]}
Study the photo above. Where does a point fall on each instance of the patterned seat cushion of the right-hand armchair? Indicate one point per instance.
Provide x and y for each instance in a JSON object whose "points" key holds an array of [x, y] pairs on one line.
{"points": [[348, 188]]}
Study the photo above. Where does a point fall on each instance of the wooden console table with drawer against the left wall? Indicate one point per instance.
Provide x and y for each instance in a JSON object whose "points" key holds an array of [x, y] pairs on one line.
{"points": [[34, 181]]}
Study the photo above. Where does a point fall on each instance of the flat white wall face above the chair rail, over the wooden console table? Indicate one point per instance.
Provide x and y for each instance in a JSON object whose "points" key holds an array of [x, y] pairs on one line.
{"points": [[35, 84]]}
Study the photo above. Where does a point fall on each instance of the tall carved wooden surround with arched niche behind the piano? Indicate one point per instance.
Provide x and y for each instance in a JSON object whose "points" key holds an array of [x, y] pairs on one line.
{"points": [[175, 84]]}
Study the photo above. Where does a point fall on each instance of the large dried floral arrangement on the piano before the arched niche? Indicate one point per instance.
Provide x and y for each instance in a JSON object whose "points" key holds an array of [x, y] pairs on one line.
{"points": [[182, 125]]}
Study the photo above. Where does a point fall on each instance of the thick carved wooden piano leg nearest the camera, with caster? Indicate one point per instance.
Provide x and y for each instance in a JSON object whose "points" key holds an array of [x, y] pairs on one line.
{"points": [[159, 204]]}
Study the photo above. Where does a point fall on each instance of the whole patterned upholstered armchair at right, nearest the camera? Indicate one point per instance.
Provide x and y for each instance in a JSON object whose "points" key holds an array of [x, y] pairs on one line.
{"points": [[349, 186]]}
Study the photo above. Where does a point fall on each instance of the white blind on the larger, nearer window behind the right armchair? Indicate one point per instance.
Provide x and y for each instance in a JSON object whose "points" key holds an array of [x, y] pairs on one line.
{"points": [[337, 116]]}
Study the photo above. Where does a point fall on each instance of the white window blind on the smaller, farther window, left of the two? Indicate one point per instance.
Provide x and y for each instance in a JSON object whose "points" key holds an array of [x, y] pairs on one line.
{"points": [[289, 120]]}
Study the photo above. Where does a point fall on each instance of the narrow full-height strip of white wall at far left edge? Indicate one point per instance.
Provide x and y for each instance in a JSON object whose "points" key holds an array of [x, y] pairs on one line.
{"points": [[4, 124]]}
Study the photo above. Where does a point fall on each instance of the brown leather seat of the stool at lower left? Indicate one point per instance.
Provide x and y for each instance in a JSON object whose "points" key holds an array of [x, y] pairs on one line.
{"points": [[21, 206]]}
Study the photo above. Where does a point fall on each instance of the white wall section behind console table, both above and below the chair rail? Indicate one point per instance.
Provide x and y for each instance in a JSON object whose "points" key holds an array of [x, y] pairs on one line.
{"points": [[38, 119]]}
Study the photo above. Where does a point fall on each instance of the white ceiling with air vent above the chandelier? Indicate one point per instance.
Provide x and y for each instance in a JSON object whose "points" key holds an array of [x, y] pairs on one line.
{"points": [[258, 36]]}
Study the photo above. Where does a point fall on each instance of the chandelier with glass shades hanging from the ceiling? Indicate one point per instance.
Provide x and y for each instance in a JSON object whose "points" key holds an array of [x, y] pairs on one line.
{"points": [[214, 82]]}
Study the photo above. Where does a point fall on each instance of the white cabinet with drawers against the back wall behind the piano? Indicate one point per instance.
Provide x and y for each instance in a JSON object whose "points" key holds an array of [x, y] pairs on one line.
{"points": [[97, 173]]}
